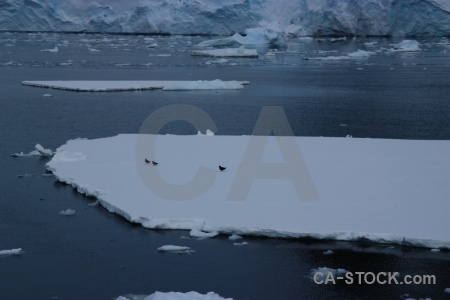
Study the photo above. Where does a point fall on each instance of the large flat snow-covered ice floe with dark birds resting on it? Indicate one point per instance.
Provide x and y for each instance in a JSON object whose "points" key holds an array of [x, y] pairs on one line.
{"points": [[387, 191]]}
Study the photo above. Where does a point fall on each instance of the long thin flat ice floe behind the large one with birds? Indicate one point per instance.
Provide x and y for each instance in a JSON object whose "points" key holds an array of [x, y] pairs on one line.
{"points": [[124, 85]]}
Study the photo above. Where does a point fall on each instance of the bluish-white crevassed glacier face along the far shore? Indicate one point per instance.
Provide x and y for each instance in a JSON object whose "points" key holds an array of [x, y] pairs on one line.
{"points": [[312, 17]]}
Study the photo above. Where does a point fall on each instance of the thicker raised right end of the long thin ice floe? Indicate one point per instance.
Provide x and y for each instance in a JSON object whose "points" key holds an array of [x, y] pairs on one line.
{"points": [[203, 85]]}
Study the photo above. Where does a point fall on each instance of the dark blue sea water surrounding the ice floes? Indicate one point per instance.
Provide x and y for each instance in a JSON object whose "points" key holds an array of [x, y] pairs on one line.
{"points": [[98, 255]]}
